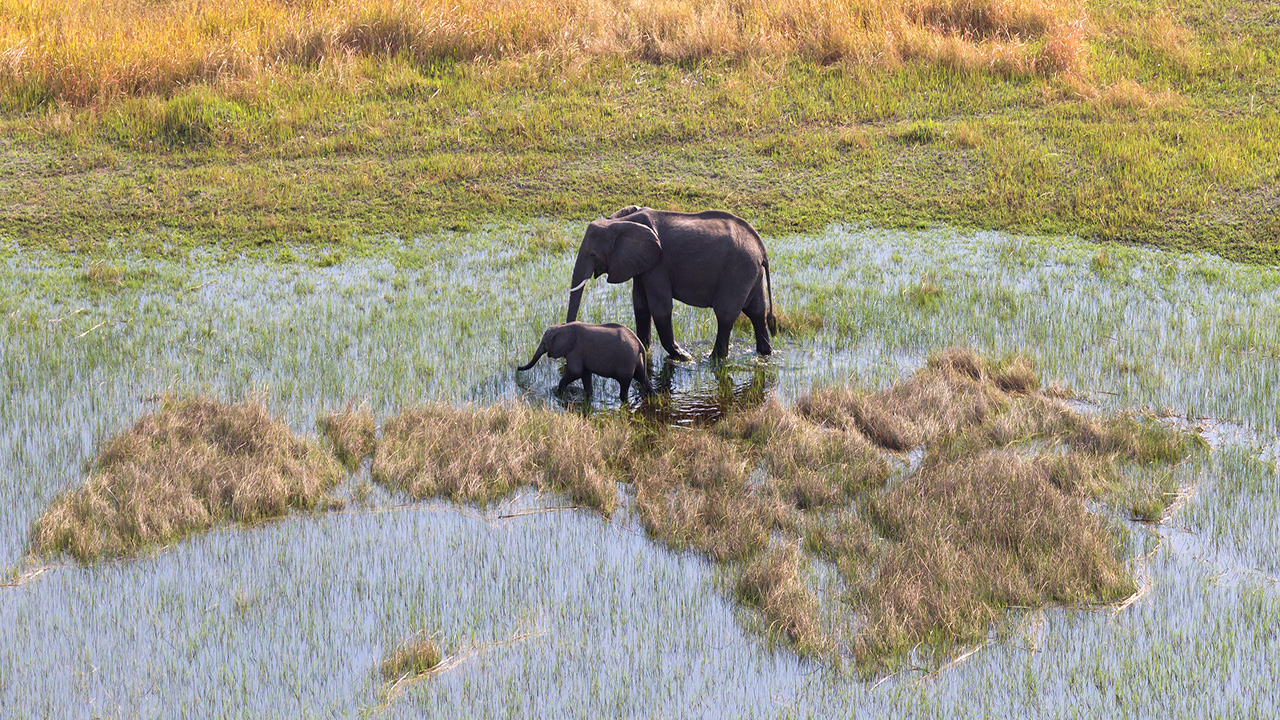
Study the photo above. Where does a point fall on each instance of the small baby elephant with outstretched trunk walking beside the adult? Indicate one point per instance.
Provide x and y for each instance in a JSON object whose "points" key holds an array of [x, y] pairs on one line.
{"points": [[609, 350]]}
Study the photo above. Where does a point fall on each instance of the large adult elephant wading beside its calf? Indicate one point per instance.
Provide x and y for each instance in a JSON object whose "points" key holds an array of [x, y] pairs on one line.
{"points": [[711, 259]]}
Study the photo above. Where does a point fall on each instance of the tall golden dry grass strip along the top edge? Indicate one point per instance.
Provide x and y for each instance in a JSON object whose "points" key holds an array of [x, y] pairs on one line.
{"points": [[83, 52]]}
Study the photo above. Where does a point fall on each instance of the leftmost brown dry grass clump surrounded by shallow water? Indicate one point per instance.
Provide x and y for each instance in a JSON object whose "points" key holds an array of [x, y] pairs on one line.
{"points": [[194, 464]]}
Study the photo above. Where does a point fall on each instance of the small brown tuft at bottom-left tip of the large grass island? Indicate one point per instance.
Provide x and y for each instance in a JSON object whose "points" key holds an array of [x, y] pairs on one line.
{"points": [[772, 584]]}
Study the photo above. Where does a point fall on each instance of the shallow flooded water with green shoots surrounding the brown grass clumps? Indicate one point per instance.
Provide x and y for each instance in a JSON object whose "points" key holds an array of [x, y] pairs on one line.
{"points": [[292, 618]]}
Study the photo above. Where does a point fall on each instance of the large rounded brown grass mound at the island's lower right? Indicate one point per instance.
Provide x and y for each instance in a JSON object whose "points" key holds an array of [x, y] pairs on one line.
{"points": [[975, 536]]}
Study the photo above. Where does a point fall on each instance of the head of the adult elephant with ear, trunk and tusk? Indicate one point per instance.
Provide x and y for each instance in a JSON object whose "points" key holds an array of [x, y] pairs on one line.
{"points": [[620, 249]]}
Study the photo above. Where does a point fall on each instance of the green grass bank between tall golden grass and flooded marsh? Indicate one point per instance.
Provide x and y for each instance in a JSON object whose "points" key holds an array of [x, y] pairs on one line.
{"points": [[793, 147]]}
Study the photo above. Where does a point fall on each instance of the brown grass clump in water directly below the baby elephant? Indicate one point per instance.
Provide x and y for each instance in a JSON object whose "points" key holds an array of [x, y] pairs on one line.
{"points": [[481, 455]]}
